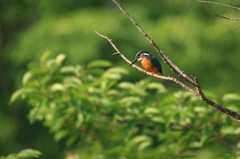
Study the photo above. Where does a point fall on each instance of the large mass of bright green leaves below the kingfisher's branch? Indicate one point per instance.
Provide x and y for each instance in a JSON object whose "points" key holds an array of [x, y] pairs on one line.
{"points": [[97, 115]]}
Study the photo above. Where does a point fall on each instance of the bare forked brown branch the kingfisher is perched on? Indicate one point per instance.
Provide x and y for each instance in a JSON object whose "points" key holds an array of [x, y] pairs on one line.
{"points": [[194, 82]]}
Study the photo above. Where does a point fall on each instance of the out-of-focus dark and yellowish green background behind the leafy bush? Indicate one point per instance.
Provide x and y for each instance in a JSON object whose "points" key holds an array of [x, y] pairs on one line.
{"points": [[198, 42]]}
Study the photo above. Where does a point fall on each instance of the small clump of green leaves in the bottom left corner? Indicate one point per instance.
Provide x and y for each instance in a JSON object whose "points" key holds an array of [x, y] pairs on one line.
{"points": [[24, 154]]}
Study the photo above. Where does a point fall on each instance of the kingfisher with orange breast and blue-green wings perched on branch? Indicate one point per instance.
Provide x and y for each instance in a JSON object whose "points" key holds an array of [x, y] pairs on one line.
{"points": [[150, 63]]}
